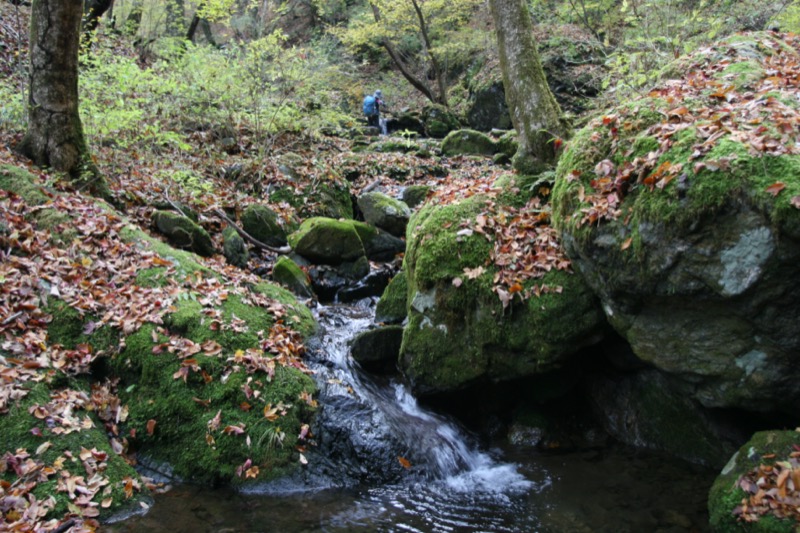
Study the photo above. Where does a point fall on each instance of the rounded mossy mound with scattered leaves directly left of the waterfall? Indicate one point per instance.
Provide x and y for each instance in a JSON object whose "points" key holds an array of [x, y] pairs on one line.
{"points": [[193, 400]]}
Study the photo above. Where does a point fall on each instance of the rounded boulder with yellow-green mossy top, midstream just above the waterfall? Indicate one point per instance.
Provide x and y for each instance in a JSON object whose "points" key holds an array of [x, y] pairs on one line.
{"points": [[327, 241]]}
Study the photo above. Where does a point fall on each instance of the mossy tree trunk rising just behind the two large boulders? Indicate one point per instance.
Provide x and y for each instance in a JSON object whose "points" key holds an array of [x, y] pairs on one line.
{"points": [[534, 110]]}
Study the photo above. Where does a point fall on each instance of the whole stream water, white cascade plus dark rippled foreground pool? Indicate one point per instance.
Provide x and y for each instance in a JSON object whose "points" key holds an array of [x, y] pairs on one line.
{"points": [[414, 470]]}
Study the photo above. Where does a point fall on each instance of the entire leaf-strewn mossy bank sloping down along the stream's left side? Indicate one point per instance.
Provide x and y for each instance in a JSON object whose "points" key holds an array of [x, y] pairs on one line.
{"points": [[164, 360]]}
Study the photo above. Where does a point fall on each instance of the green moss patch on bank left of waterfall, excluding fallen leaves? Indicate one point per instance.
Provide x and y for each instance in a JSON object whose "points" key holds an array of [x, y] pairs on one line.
{"points": [[182, 410]]}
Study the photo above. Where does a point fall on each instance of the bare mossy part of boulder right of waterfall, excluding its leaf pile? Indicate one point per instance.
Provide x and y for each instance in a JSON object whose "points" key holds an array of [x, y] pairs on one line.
{"points": [[459, 333]]}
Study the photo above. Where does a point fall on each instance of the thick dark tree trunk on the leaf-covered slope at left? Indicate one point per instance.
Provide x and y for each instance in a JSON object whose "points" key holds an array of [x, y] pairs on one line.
{"points": [[55, 135]]}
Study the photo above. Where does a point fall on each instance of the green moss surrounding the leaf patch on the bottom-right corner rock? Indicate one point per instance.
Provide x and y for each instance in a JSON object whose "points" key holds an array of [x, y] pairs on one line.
{"points": [[724, 496]]}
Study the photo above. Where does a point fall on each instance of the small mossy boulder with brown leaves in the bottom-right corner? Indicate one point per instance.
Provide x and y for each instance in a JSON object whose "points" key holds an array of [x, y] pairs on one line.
{"points": [[751, 479]]}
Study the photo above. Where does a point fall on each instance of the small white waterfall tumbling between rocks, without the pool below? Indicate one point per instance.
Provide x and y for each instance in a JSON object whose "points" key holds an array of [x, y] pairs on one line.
{"points": [[422, 445]]}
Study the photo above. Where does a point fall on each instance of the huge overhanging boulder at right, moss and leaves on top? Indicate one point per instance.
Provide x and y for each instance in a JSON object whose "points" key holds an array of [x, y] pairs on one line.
{"points": [[679, 210]]}
